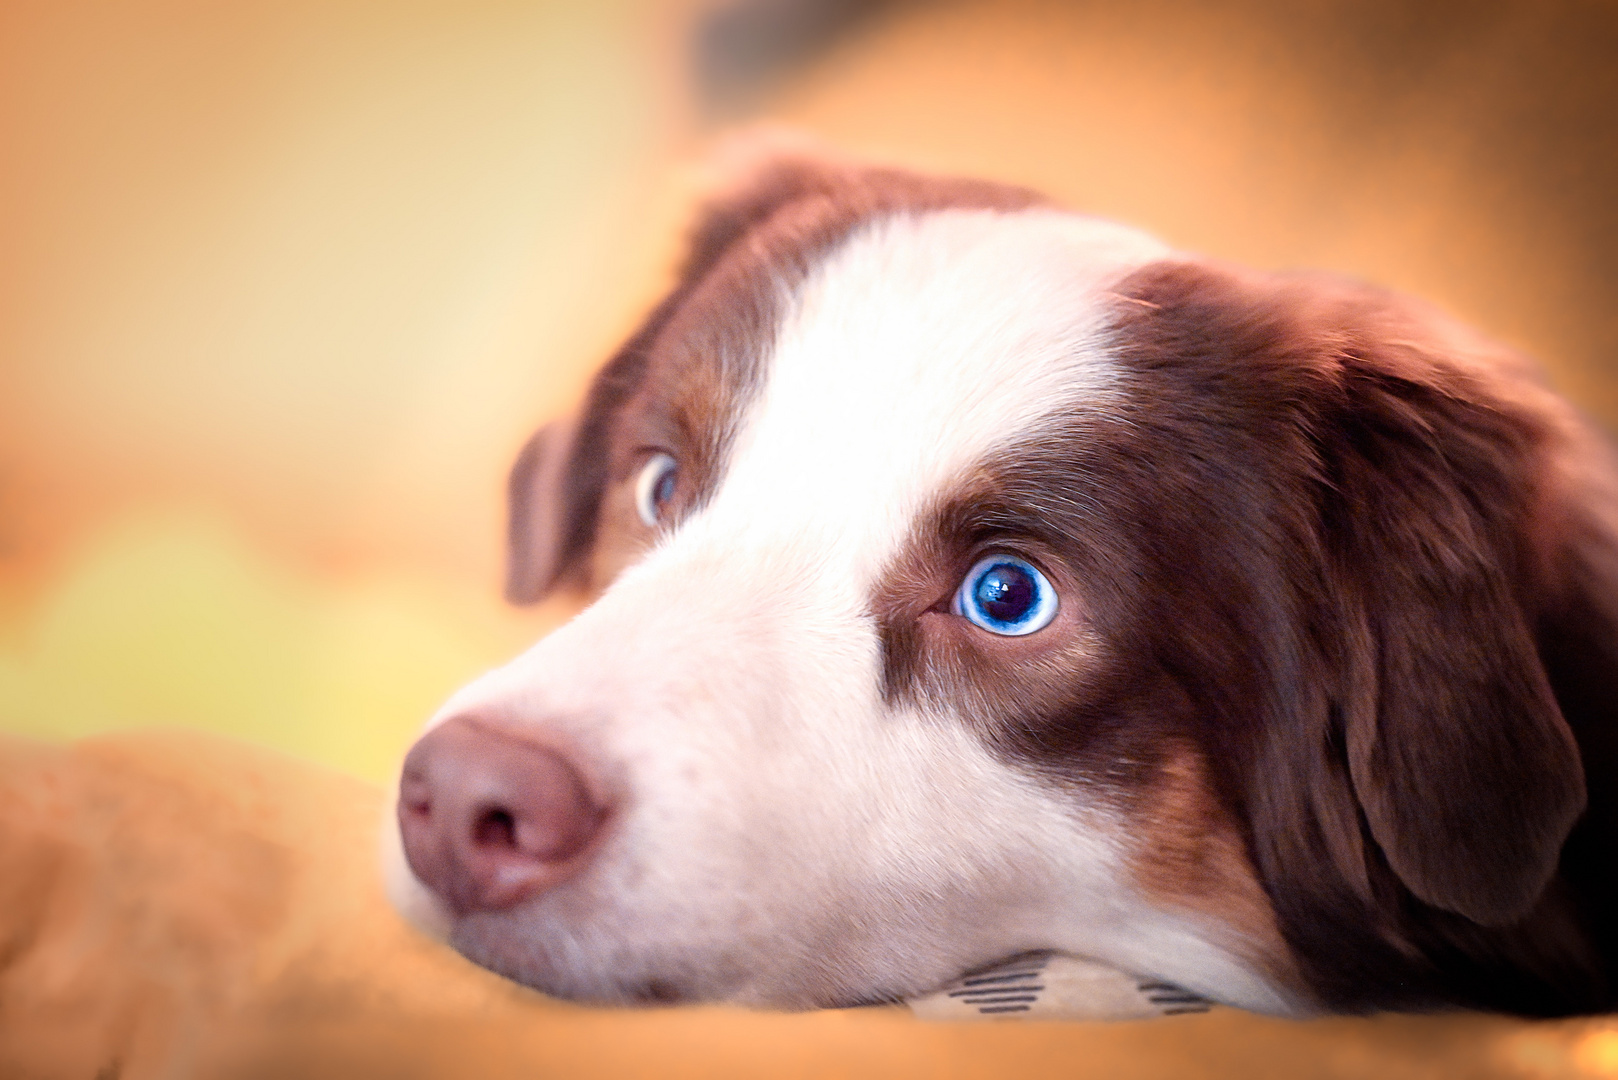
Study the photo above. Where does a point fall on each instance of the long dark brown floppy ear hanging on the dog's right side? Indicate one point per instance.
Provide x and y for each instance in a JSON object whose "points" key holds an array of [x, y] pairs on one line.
{"points": [[1460, 759]]}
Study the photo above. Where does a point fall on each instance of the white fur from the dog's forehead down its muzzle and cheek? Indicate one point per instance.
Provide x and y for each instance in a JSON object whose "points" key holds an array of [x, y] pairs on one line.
{"points": [[789, 838]]}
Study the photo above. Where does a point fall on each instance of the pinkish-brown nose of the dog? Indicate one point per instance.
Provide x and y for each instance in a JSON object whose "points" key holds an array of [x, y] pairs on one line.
{"points": [[491, 819]]}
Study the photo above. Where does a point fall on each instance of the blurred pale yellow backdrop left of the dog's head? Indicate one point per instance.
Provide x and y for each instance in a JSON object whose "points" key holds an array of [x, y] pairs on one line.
{"points": [[284, 289]]}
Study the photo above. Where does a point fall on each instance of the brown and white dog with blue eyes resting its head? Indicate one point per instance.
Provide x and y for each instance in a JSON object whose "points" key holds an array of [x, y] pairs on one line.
{"points": [[980, 579]]}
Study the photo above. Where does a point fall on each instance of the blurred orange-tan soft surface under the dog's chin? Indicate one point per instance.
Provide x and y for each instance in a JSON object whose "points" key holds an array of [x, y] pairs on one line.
{"points": [[180, 906]]}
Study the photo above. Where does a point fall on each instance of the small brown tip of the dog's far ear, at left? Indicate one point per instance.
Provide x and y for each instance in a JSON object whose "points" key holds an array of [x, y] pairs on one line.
{"points": [[543, 548]]}
